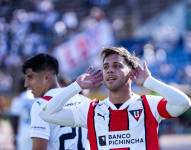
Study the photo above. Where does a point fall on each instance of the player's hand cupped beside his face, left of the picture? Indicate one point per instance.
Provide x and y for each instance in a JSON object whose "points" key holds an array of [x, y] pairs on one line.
{"points": [[91, 79]]}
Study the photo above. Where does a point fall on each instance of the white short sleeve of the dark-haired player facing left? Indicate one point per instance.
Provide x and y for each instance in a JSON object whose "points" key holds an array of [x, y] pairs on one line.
{"points": [[39, 128]]}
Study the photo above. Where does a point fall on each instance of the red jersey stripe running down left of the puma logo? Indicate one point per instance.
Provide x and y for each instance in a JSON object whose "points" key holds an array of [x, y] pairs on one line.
{"points": [[91, 127]]}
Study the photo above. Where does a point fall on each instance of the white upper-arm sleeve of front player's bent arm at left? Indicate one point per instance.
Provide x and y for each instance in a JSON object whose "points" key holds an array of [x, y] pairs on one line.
{"points": [[73, 113]]}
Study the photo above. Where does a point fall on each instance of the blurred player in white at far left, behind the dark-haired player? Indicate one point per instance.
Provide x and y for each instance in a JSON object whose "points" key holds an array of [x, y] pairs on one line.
{"points": [[23, 101]]}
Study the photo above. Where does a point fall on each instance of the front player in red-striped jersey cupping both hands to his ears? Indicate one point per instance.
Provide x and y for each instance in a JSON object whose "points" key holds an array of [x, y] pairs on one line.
{"points": [[124, 120]]}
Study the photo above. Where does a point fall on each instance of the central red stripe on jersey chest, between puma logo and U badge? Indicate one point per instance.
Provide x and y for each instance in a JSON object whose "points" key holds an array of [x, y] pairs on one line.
{"points": [[119, 121]]}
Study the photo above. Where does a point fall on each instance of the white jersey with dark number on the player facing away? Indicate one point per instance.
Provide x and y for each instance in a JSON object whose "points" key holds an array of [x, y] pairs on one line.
{"points": [[59, 137]]}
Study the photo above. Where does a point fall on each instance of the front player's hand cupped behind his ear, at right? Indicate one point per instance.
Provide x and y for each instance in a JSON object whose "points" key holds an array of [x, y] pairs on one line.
{"points": [[140, 74]]}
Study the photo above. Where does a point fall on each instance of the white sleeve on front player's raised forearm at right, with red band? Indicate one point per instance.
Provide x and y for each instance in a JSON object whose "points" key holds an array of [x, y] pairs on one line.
{"points": [[175, 103]]}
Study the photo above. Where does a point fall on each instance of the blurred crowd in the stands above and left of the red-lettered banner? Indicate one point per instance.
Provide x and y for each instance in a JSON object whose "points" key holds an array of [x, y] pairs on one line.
{"points": [[41, 28]]}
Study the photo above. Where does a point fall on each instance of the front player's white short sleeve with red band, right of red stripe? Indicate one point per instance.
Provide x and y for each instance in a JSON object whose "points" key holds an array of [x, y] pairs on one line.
{"points": [[158, 107]]}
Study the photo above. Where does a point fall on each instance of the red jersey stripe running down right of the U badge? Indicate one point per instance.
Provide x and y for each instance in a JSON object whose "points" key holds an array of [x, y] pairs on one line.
{"points": [[151, 125]]}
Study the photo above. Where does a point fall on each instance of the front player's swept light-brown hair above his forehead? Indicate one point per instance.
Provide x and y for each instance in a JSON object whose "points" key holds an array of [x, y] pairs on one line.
{"points": [[130, 59]]}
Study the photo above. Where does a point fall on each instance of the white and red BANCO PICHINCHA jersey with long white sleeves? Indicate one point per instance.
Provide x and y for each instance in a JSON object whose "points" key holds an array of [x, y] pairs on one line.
{"points": [[133, 126]]}
